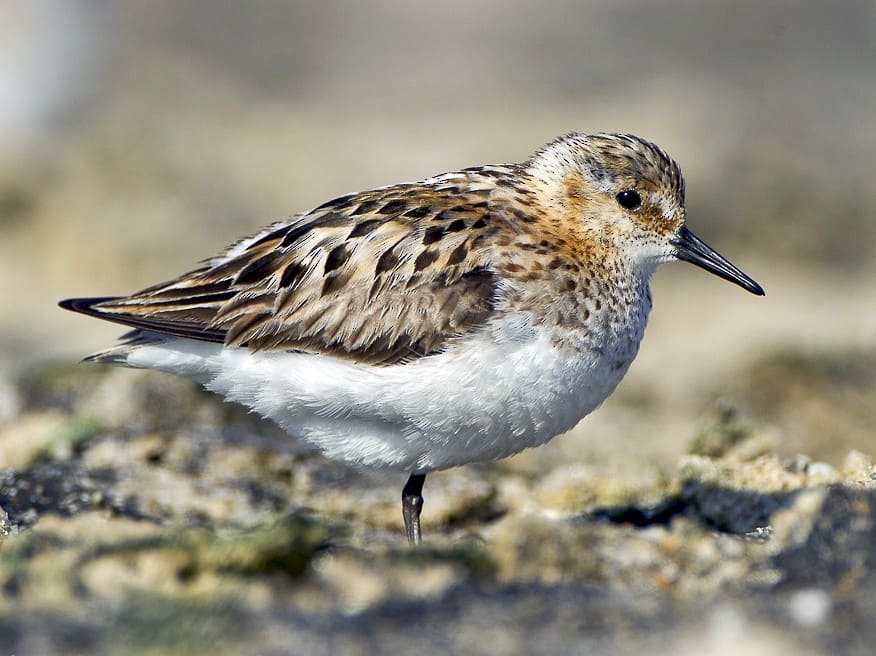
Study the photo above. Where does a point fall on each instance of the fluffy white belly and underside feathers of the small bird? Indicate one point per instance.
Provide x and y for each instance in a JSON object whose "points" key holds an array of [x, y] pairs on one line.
{"points": [[489, 397]]}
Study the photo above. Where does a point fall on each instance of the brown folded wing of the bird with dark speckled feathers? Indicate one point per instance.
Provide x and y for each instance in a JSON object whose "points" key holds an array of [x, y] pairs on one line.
{"points": [[377, 277]]}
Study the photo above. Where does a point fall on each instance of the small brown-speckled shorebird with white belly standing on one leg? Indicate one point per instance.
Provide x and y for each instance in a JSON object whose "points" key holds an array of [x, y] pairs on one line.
{"points": [[426, 325]]}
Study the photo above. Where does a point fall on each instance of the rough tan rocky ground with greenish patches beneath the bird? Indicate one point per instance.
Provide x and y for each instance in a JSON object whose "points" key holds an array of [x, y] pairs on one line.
{"points": [[142, 515]]}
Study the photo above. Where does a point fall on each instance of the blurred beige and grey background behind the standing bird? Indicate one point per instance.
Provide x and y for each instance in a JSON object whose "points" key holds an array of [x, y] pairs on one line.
{"points": [[138, 138]]}
